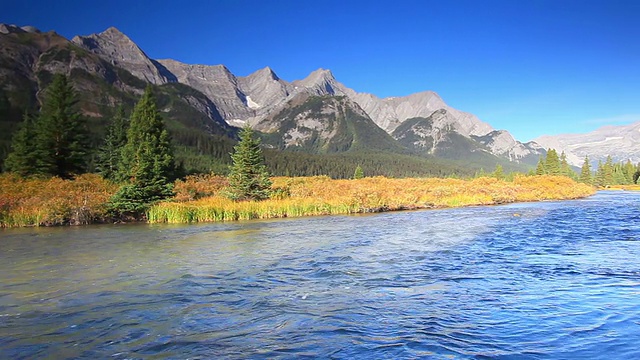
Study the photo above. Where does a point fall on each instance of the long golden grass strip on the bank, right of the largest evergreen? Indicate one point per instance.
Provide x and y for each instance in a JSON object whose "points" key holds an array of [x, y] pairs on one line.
{"points": [[305, 196]]}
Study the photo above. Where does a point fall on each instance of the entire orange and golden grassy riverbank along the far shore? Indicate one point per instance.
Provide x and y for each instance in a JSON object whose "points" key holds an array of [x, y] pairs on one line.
{"points": [[40, 202]]}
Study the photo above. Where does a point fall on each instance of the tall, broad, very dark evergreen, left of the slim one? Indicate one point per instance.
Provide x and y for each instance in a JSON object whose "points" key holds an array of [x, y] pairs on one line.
{"points": [[61, 132]]}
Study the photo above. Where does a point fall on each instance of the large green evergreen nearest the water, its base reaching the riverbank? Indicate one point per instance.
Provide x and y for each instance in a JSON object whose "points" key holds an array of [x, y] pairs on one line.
{"points": [[147, 161]]}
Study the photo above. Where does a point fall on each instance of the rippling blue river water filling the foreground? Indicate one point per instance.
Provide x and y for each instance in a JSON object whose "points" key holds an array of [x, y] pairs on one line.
{"points": [[538, 280]]}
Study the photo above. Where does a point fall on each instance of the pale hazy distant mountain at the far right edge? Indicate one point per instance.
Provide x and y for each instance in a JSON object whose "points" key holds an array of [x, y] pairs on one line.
{"points": [[619, 142]]}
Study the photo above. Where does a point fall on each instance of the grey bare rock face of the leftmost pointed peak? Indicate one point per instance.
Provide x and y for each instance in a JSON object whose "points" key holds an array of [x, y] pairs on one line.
{"points": [[117, 48]]}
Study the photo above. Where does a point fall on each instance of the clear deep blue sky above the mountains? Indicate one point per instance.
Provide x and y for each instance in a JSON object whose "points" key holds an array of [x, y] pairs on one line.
{"points": [[532, 67]]}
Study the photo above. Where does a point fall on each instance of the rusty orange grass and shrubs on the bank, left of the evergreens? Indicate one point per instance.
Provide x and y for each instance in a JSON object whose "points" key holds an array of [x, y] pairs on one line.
{"points": [[29, 202]]}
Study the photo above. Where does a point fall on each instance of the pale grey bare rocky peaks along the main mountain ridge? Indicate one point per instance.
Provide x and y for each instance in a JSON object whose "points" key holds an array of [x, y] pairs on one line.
{"points": [[255, 98]]}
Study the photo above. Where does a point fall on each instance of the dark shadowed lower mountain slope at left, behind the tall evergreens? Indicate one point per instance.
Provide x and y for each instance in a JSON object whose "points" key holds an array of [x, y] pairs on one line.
{"points": [[29, 58]]}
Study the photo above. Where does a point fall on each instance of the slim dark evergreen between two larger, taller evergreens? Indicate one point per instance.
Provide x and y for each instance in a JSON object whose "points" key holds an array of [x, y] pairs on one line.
{"points": [[110, 154]]}
